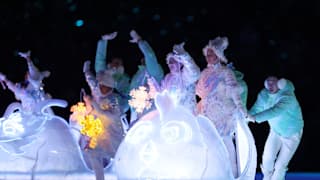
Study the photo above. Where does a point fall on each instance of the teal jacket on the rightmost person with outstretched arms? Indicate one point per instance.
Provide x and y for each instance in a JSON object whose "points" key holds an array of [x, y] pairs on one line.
{"points": [[281, 110]]}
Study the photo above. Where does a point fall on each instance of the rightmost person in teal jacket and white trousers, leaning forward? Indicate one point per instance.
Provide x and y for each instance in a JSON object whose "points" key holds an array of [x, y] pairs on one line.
{"points": [[278, 105]]}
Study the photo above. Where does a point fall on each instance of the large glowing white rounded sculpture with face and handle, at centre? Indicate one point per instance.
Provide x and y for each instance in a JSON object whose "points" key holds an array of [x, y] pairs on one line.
{"points": [[172, 143]]}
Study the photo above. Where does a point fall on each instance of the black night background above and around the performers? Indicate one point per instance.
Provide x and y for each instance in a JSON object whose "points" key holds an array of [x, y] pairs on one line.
{"points": [[266, 37]]}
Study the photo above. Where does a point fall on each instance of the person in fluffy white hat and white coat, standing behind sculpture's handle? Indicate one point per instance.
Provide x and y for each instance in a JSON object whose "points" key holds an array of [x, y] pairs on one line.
{"points": [[220, 96]]}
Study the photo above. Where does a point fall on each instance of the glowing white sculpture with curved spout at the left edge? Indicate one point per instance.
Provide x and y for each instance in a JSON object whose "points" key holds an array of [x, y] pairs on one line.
{"points": [[39, 145]]}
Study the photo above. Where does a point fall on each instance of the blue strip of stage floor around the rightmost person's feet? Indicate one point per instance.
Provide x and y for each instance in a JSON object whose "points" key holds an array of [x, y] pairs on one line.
{"points": [[297, 176]]}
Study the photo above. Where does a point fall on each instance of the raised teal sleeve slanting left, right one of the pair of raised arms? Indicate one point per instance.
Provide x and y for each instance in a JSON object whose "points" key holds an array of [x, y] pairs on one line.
{"points": [[153, 67]]}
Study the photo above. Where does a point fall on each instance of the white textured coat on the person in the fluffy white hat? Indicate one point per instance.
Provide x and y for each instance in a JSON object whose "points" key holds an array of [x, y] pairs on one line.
{"points": [[220, 99]]}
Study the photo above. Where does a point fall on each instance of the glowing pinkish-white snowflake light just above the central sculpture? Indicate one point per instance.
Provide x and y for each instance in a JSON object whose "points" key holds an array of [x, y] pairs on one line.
{"points": [[141, 99]]}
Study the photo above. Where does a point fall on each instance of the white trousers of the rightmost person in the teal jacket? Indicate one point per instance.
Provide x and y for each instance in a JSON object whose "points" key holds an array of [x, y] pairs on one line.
{"points": [[277, 153]]}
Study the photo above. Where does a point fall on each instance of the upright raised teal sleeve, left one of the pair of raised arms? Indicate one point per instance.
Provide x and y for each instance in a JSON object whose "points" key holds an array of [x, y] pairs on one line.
{"points": [[101, 54]]}
